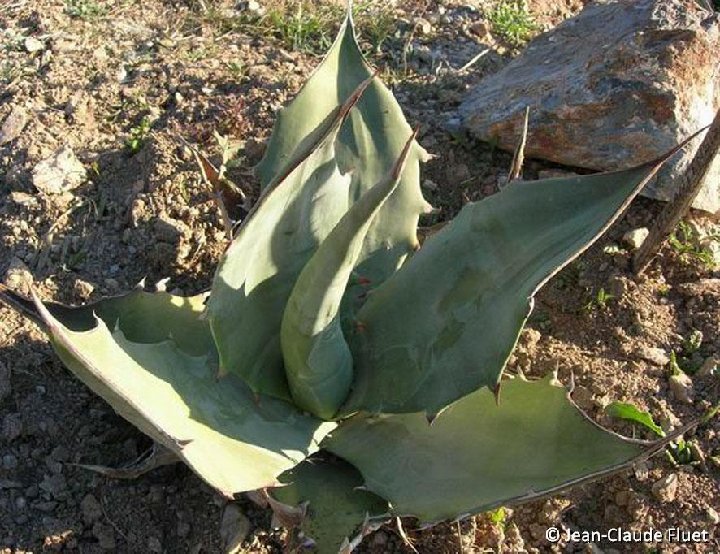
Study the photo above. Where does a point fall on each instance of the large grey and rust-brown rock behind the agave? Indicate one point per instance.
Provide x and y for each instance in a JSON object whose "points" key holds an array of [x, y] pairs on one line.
{"points": [[619, 84]]}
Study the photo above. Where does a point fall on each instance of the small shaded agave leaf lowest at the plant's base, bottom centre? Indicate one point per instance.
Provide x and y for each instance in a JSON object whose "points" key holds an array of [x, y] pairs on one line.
{"points": [[336, 509]]}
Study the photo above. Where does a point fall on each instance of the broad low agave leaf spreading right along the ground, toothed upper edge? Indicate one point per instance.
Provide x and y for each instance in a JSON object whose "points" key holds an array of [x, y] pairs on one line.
{"points": [[478, 455]]}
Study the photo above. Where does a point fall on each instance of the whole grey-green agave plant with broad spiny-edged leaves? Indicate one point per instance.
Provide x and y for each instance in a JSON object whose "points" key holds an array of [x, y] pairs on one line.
{"points": [[336, 366]]}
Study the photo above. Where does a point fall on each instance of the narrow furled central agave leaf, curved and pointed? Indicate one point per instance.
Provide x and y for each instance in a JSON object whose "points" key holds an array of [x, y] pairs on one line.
{"points": [[318, 361]]}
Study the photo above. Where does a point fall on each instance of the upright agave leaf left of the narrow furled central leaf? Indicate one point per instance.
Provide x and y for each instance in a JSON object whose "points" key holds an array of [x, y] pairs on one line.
{"points": [[257, 273]]}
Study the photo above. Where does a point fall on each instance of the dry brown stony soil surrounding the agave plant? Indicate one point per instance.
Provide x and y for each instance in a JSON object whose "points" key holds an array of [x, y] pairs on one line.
{"points": [[119, 82]]}
